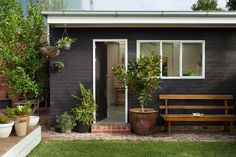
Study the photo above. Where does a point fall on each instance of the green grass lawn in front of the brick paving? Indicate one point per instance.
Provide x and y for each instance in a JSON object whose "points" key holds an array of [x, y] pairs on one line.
{"points": [[133, 149]]}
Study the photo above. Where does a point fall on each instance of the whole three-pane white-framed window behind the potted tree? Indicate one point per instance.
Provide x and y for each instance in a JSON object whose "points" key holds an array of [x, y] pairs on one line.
{"points": [[180, 59]]}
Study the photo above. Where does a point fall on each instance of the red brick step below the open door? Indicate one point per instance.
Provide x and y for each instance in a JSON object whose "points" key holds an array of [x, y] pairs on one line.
{"points": [[110, 128]]}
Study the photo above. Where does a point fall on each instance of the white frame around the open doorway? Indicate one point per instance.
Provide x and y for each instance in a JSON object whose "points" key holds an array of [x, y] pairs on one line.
{"points": [[94, 70]]}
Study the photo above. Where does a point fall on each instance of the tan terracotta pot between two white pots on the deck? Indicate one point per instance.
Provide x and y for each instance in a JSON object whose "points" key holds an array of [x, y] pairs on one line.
{"points": [[21, 125]]}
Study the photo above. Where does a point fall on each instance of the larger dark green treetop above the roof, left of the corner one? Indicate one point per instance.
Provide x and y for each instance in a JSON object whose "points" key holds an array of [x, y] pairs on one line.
{"points": [[205, 5]]}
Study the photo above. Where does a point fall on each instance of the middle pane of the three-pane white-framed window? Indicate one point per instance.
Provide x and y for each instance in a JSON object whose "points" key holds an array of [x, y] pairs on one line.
{"points": [[170, 59]]}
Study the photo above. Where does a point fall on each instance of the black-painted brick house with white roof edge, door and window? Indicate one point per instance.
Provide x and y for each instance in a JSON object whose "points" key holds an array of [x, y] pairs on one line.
{"points": [[198, 51]]}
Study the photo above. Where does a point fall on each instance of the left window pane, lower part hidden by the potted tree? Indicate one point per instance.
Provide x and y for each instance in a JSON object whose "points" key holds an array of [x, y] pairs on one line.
{"points": [[148, 47]]}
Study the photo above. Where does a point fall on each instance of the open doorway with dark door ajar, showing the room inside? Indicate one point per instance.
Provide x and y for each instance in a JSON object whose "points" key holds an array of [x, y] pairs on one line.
{"points": [[110, 95]]}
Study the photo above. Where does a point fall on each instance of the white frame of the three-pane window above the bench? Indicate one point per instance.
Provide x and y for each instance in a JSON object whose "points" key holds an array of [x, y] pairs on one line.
{"points": [[180, 59]]}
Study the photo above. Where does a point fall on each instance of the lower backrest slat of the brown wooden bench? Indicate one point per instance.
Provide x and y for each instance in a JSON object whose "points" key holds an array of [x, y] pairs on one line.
{"points": [[196, 107]]}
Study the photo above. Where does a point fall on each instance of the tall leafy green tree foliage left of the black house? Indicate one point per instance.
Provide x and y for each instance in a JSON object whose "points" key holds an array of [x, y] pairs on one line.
{"points": [[20, 57]]}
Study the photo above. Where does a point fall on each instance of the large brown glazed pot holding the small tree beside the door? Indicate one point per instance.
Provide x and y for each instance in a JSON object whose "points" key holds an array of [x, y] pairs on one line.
{"points": [[143, 123]]}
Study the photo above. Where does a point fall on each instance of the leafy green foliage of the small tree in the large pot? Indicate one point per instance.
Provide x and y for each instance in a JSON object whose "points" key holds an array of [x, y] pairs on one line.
{"points": [[142, 76]]}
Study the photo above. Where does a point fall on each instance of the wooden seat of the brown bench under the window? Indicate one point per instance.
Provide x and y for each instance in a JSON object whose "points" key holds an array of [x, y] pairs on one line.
{"points": [[189, 117]]}
